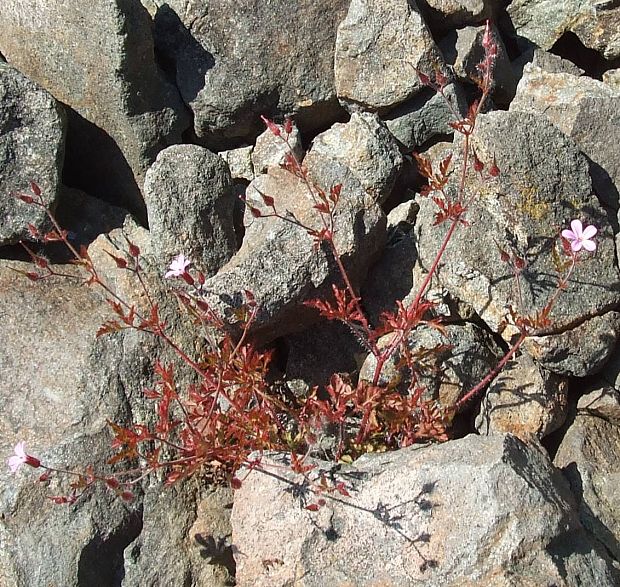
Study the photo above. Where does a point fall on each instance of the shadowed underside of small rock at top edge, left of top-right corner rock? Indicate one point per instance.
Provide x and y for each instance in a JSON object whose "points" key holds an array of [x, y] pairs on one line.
{"points": [[442, 15]]}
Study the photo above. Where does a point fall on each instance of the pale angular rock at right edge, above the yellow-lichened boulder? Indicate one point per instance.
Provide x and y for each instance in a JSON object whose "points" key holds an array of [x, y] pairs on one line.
{"points": [[584, 109]]}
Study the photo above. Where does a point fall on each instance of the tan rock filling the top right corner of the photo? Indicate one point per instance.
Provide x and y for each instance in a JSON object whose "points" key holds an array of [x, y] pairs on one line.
{"points": [[595, 23]]}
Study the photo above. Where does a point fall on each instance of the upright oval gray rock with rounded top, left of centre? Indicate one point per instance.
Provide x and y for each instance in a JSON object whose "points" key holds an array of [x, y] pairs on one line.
{"points": [[190, 202]]}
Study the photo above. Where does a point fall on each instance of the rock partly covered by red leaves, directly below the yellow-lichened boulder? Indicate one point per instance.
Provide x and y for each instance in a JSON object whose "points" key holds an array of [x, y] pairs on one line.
{"points": [[464, 356]]}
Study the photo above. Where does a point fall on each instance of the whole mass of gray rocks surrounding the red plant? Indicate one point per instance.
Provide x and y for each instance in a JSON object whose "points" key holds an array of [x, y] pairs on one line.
{"points": [[141, 120]]}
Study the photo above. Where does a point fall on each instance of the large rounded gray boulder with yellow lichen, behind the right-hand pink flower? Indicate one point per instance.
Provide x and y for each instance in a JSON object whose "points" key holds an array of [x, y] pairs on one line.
{"points": [[538, 192]]}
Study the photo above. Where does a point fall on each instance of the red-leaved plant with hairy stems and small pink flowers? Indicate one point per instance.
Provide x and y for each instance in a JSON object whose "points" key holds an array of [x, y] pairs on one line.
{"points": [[235, 409]]}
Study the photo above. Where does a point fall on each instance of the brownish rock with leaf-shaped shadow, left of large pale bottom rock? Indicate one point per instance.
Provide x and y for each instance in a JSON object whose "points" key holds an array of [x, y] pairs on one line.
{"points": [[189, 528]]}
